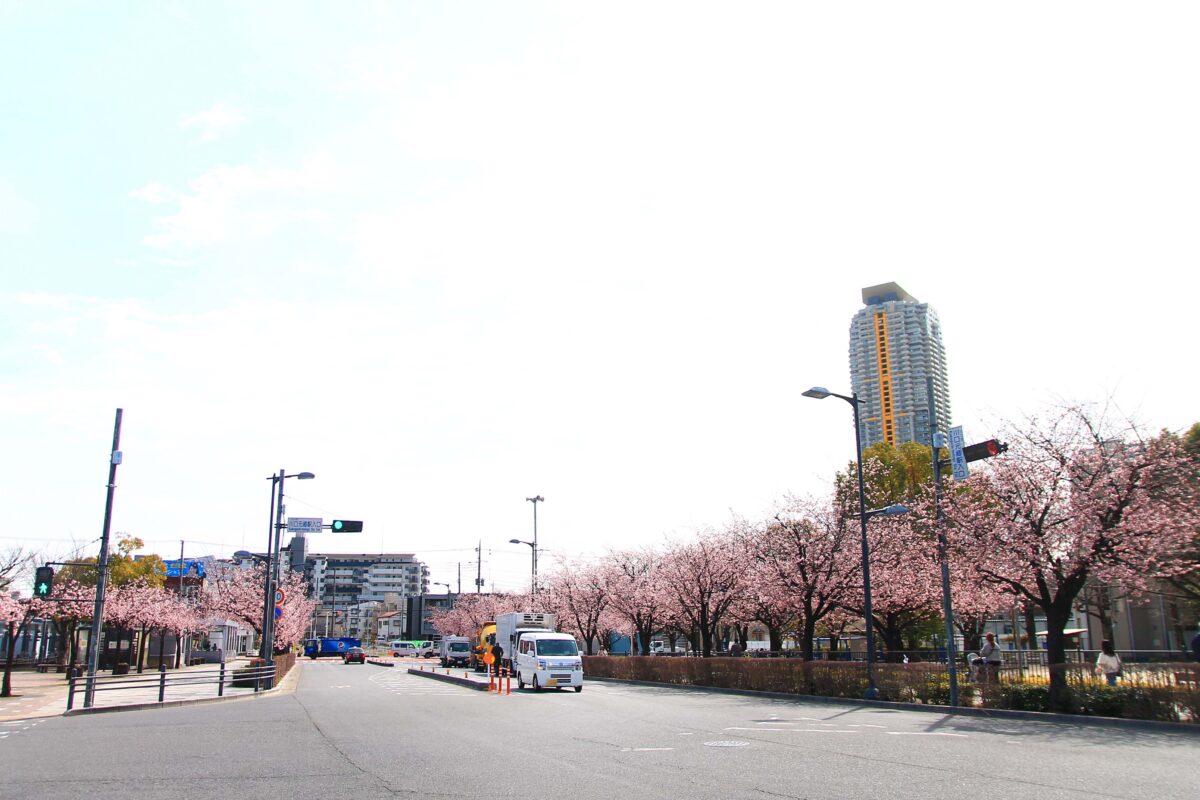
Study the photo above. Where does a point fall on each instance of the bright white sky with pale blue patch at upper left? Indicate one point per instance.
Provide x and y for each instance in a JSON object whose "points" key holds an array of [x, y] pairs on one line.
{"points": [[448, 257]]}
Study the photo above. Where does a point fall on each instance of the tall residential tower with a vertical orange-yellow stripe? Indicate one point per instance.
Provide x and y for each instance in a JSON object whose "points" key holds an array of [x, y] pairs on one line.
{"points": [[896, 346]]}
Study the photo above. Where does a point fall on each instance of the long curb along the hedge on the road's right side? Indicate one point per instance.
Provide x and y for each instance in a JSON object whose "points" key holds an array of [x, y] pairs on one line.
{"points": [[949, 711]]}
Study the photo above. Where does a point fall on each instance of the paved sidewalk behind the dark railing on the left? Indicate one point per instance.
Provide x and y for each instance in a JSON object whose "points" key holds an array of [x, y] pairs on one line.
{"points": [[43, 695]]}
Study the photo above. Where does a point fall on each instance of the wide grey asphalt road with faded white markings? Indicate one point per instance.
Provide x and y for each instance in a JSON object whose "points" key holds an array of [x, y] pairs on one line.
{"points": [[364, 732]]}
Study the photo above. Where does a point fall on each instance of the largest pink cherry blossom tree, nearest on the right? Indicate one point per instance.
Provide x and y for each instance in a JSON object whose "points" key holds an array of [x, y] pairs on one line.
{"points": [[1075, 500]]}
